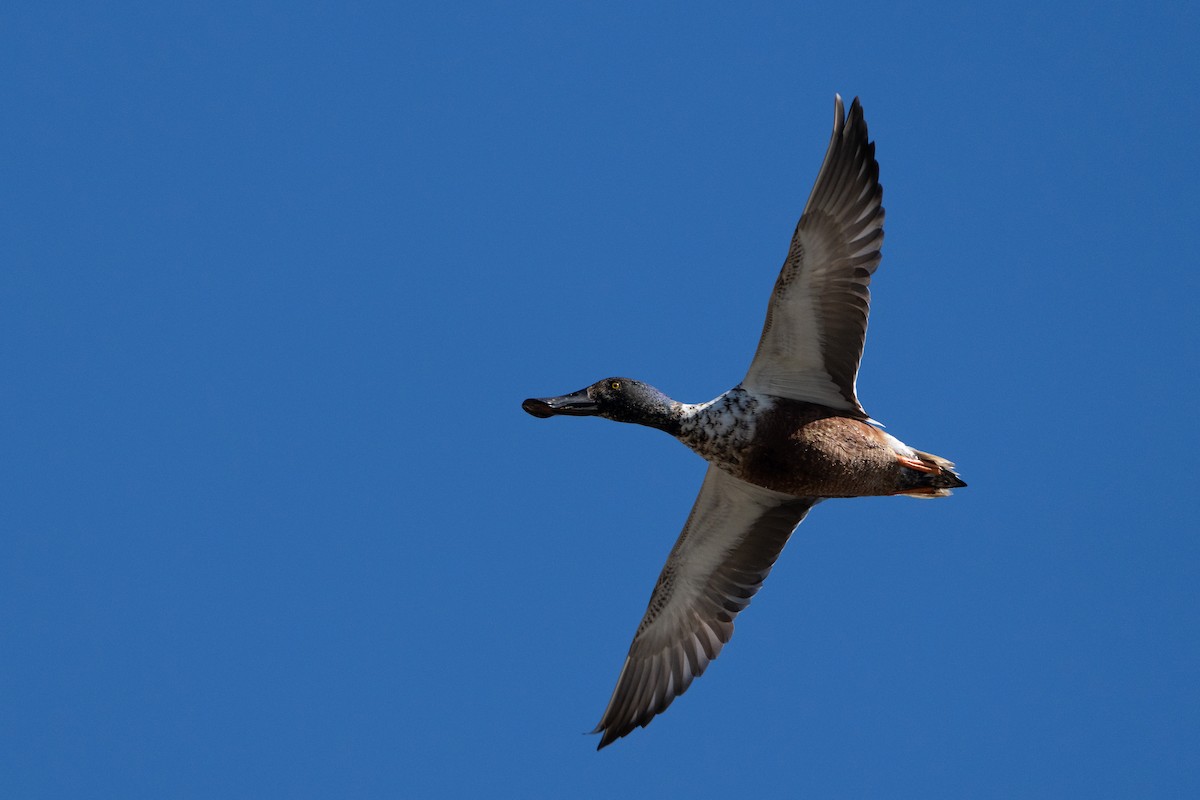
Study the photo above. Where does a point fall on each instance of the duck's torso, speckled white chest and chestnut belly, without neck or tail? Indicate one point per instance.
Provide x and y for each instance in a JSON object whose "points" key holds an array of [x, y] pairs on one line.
{"points": [[797, 448]]}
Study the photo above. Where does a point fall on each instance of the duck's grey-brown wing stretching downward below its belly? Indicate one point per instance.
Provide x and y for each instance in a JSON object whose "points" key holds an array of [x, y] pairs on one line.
{"points": [[729, 545]]}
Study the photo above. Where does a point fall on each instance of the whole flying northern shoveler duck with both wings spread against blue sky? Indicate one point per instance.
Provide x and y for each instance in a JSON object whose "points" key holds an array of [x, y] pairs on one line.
{"points": [[791, 435]]}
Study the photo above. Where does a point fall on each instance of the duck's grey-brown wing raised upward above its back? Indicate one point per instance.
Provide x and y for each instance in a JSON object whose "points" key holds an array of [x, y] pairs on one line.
{"points": [[817, 322]]}
